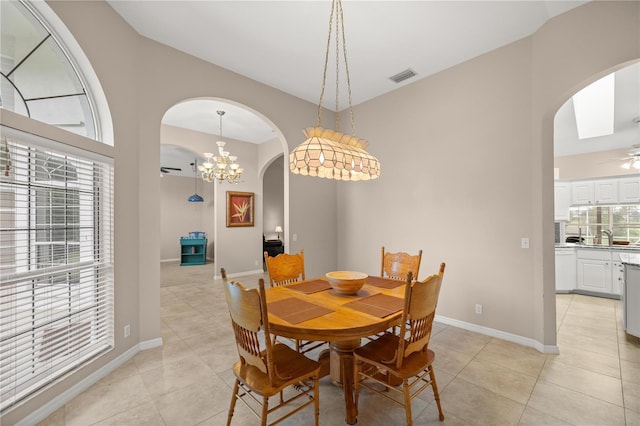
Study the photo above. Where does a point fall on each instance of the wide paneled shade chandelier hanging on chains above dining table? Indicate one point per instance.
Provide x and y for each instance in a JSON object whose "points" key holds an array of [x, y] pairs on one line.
{"points": [[329, 153]]}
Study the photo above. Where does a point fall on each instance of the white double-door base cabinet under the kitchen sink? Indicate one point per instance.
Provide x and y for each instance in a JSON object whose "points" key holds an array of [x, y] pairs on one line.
{"points": [[594, 271]]}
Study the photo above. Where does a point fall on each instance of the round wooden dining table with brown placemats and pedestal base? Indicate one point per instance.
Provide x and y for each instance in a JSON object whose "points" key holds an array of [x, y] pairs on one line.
{"points": [[338, 321]]}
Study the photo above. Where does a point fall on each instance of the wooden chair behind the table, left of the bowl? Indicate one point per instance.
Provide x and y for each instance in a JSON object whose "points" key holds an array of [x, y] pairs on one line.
{"points": [[285, 269]]}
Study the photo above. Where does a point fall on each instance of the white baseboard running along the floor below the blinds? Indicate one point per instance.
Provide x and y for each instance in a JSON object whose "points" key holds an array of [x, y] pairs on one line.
{"points": [[50, 407]]}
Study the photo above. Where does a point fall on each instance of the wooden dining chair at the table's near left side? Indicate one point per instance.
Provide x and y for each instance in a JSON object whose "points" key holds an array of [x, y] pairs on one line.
{"points": [[265, 369]]}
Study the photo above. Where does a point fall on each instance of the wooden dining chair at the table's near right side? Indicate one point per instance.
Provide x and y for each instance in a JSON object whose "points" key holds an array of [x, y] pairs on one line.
{"points": [[405, 356]]}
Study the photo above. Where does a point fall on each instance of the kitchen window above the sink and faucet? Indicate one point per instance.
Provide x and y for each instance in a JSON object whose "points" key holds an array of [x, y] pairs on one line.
{"points": [[590, 222]]}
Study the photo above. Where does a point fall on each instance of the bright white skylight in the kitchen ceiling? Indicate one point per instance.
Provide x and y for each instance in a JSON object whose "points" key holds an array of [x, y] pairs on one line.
{"points": [[593, 107]]}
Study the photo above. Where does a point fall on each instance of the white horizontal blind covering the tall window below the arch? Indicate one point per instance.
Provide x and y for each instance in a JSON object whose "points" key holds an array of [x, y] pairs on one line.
{"points": [[56, 262]]}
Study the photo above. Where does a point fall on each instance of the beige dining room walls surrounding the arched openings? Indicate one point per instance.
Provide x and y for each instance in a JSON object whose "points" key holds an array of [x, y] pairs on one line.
{"points": [[467, 168]]}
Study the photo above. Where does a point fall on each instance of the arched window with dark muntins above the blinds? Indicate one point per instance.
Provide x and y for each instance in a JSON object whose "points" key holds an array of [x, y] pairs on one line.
{"points": [[38, 77]]}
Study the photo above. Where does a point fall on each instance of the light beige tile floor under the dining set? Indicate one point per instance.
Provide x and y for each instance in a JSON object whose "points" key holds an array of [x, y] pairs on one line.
{"points": [[482, 380]]}
